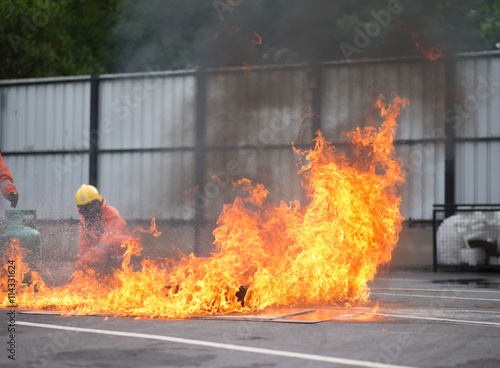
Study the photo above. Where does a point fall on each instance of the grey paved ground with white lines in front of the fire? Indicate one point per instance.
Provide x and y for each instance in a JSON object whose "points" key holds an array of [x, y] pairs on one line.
{"points": [[424, 319]]}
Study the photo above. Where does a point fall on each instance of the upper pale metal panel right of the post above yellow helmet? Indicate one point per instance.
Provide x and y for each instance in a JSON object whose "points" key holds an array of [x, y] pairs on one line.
{"points": [[147, 113]]}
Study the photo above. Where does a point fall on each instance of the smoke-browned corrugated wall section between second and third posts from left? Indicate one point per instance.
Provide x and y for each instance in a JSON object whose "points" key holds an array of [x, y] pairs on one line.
{"points": [[252, 120]]}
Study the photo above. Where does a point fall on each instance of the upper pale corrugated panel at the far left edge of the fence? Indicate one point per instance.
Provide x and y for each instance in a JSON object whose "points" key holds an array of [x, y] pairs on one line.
{"points": [[45, 117]]}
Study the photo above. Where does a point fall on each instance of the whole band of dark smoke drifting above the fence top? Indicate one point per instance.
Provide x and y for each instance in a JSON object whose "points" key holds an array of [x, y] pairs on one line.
{"points": [[172, 35]]}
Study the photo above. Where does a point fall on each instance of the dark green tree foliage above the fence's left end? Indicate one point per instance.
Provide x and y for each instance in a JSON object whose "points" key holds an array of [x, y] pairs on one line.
{"points": [[48, 38]]}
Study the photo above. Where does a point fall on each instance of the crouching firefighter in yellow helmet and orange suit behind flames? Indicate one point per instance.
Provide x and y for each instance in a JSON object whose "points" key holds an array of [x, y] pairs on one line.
{"points": [[102, 231]]}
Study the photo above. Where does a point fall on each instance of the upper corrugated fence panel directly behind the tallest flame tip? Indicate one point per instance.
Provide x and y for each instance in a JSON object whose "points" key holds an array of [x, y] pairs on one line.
{"points": [[349, 92]]}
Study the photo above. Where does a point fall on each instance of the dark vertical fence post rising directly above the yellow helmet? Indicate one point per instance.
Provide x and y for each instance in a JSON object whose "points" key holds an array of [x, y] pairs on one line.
{"points": [[94, 130]]}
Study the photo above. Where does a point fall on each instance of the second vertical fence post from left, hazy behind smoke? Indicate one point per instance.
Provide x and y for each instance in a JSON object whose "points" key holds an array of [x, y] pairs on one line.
{"points": [[200, 152]]}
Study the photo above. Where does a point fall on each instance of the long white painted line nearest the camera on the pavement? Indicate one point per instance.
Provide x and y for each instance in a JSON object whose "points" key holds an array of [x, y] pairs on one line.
{"points": [[247, 349]]}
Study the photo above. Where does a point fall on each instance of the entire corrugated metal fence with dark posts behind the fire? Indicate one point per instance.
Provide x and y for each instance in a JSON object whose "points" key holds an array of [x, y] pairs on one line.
{"points": [[147, 140]]}
